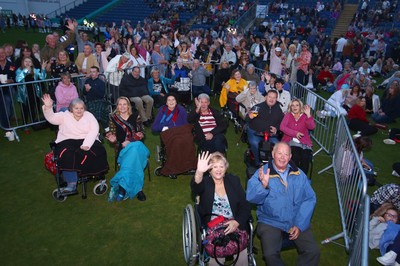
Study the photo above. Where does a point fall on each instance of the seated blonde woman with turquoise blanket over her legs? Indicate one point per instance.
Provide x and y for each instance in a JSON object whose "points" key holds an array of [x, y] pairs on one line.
{"points": [[126, 130]]}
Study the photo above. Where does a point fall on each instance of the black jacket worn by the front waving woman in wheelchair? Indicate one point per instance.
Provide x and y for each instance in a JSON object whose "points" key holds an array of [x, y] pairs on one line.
{"points": [[236, 197]]}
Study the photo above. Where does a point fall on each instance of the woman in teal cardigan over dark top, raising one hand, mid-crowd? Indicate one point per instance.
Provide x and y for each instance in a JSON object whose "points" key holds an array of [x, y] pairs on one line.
{"points": [[158, 85]]}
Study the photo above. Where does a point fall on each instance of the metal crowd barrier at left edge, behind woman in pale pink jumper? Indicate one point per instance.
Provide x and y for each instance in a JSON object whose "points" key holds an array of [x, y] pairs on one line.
{"points": [[18, 111]]}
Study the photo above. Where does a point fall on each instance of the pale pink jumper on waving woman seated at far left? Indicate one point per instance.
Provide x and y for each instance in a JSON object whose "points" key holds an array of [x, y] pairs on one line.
{"points": [[85, 128]]}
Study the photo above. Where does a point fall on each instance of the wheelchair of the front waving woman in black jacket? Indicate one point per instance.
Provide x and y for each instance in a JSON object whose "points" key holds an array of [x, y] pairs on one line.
{"points": [[193, 235]]}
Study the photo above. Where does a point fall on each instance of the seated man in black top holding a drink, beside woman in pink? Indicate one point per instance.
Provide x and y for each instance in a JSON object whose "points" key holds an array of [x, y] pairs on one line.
{"points": [[266, 119]]}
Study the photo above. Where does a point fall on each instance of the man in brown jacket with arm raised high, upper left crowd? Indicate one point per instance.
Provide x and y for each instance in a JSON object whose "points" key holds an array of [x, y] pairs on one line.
{"points": [[53, 46]]}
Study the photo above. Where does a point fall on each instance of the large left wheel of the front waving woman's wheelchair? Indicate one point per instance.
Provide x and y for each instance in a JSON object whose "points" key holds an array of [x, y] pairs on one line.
{"points": [[189, 236]]}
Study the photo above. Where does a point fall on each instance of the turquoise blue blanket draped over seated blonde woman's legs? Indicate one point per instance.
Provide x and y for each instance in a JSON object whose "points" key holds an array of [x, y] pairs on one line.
{"points": [[132, 160]]}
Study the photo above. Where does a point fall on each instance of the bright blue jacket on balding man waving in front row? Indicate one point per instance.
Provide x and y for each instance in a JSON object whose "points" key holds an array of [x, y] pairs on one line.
{"points": [[280, 206]]}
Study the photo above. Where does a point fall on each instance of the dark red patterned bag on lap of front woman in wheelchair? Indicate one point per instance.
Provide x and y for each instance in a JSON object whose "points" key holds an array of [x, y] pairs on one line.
{"points": [[219, 245]]}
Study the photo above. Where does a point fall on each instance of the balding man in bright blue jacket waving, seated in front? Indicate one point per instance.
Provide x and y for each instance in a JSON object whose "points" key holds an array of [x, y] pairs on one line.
{"points": [[285, 204]]}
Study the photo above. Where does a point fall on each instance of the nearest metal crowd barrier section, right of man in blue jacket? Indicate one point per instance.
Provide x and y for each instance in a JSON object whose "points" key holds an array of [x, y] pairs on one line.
{"points": [[351, 186]]}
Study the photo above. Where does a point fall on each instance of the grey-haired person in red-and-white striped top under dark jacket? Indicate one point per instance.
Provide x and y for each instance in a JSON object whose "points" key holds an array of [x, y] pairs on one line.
{"points": [[209, 125]]}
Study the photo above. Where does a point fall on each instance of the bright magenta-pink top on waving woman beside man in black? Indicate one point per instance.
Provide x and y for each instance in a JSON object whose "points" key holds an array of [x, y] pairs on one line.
{"points": [[290, 127]]}
